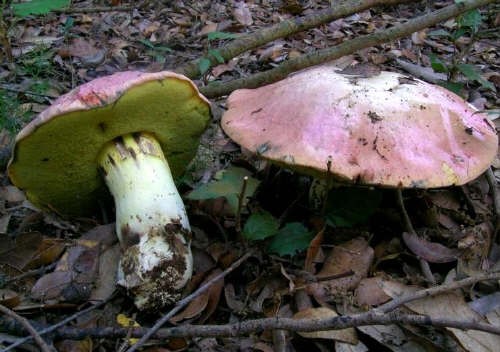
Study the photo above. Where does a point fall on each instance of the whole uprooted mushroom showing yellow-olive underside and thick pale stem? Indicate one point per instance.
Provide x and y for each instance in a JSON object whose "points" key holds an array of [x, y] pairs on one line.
{"points": [[120, 130]]}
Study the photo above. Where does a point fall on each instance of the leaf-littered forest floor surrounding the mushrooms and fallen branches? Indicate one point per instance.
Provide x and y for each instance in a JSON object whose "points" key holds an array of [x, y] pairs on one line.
{"points": [[352, 254]]}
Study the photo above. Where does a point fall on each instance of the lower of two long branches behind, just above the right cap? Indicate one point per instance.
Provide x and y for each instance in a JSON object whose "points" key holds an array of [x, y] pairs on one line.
{"points": [[217, 89]]}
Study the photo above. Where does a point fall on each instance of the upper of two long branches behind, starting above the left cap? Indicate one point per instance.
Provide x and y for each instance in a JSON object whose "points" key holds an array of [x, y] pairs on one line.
{"points": [[283, 29]]}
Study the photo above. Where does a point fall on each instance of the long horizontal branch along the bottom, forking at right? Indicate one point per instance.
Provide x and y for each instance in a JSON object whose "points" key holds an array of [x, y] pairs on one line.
{"points": [[382, 315]]}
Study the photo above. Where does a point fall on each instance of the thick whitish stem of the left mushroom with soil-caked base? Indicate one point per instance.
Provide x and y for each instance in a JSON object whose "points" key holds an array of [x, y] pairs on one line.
{"points": [[151, 221]]}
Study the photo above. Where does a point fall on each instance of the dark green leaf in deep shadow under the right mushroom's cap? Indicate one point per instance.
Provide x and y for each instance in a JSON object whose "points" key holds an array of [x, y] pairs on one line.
{"points": [[349, 206]]}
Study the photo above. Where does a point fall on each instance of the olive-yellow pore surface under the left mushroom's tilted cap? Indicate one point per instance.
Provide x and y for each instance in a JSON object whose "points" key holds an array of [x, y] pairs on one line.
{"points": [[56, 164]]}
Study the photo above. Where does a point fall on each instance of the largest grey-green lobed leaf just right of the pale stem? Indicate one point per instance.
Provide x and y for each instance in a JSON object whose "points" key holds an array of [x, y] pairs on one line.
{"points": [[228, 184]]}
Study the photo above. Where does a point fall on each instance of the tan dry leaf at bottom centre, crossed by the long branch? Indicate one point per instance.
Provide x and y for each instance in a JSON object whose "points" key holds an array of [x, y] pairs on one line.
{"points": [[345, 335]]}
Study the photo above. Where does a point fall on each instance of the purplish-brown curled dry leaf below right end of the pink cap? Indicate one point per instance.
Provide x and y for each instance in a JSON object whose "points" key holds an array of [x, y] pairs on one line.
{"points": [[430, 251]]}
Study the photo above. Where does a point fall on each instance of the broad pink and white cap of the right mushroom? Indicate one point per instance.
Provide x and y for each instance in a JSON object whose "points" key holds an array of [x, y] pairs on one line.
{"points": [[388, 129]]}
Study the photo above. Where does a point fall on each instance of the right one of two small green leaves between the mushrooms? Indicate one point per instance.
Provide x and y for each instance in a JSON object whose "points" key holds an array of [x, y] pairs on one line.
{"points": [[292, 238]]}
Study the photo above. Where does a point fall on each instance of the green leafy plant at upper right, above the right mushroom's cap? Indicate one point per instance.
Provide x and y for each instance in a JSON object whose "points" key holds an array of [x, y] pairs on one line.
{"points": [[468, 24]]}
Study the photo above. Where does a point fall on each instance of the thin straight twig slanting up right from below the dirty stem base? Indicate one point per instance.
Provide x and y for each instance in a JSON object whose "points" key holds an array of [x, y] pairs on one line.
{"points": [[185, 301]]}
